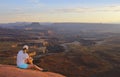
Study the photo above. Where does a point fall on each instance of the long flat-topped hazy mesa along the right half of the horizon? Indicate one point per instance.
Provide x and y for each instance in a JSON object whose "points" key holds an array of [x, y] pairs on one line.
{"points": [[94, 27]]}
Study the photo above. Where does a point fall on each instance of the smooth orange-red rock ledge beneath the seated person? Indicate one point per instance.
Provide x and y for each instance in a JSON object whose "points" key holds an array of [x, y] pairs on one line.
{"points": [[12, 71]]}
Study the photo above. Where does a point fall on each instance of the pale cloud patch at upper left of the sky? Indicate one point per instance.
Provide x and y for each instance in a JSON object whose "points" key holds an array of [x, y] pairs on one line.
{"points": [[28, 10]]}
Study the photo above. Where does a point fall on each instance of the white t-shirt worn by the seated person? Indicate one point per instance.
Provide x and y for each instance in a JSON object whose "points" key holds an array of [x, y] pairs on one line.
{"points": [[21, 57]]}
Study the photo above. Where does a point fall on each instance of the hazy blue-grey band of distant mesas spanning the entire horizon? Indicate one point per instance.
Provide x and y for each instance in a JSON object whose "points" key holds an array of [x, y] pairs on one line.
{"points": [[74, 27]]}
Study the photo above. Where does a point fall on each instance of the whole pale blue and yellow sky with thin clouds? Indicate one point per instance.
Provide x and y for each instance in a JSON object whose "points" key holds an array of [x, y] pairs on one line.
{"points": [[87, 11]]}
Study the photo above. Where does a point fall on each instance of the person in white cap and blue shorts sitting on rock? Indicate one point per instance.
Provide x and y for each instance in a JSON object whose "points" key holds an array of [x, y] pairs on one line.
{"points": [[26, 62]]}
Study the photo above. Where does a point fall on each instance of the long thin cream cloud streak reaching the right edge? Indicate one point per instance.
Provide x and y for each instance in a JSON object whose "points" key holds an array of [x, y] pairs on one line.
{"points": [[88, 9]]}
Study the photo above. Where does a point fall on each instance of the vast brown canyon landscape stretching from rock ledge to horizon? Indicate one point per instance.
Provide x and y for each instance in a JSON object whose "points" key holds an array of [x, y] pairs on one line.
{"points": [[71, 49]]}
